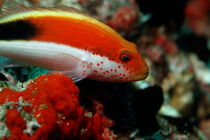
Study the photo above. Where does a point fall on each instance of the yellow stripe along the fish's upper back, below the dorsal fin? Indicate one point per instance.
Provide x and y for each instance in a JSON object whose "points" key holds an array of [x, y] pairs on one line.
{"points": [[56, 13]]}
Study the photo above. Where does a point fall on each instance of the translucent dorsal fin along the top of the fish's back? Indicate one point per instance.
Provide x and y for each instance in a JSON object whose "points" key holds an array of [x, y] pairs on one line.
{"points": [[9, 7]]}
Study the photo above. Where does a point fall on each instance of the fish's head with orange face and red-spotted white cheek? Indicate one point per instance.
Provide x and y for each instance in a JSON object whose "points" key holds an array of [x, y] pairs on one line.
{"points": [[126, 64]]}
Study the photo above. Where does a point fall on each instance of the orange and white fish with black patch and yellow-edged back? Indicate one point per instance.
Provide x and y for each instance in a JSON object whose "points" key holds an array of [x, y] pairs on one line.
{"points": [[68, 41]]}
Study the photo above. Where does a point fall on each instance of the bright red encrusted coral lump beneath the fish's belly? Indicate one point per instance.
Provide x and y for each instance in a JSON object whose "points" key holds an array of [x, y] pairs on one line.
{"points": [[53, 101]]}
